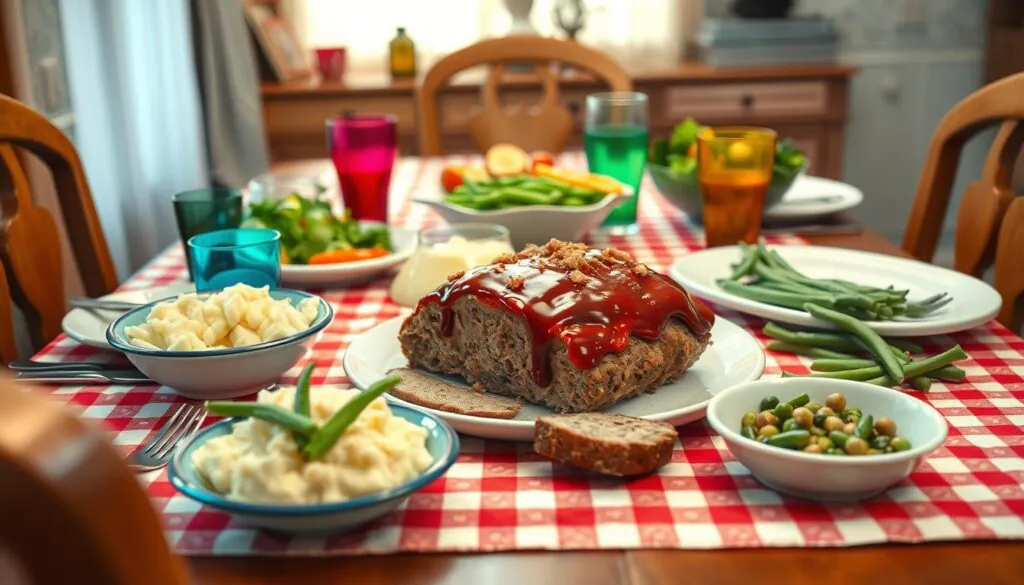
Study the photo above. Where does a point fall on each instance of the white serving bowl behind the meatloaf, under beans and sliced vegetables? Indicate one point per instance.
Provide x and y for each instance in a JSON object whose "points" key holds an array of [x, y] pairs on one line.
{"points": [[536, 224]]}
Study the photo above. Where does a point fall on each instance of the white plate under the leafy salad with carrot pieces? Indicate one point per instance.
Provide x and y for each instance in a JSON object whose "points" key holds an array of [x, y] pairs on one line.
{"points": [[346, 274]]}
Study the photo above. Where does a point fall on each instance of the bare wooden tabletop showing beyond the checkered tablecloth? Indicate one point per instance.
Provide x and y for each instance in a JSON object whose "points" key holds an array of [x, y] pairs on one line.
{"points": [[930, 564]]}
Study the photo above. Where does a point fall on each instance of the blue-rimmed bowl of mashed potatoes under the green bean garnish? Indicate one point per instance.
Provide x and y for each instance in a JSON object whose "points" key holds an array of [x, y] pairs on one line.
{"points": [[254, 470]]}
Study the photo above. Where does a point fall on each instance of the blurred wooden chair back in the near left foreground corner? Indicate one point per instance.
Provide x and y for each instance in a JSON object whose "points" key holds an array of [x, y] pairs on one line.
{"points": [[72, 511]]}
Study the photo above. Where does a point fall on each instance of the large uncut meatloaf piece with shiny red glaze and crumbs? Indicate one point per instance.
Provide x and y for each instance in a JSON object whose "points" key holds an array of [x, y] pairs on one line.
{"points": [[562, 325]]}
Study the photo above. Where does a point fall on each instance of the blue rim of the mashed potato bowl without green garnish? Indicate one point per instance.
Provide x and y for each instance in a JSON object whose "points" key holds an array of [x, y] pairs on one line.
{"points": [[117, 339]]}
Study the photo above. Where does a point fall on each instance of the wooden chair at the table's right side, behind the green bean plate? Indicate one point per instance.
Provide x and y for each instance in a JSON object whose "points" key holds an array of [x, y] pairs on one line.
{"points": [[991, 220]]}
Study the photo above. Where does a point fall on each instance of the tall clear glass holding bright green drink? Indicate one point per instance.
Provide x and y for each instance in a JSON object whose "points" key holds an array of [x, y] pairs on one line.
{"points": [[616, 132]]}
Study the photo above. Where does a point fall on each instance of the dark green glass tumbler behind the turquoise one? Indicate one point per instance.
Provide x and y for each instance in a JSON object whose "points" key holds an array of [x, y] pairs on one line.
{"points": [[202, 211]]}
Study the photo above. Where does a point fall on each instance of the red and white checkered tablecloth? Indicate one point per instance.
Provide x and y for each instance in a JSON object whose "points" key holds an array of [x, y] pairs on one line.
{"points": [[500, 496]]}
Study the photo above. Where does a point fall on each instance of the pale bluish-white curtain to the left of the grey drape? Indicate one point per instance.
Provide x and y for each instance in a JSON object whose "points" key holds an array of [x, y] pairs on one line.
{"points": [[139, 120]]}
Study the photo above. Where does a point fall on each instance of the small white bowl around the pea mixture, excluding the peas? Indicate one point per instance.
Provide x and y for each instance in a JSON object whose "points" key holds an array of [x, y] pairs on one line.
{"points": [[819, 476]]}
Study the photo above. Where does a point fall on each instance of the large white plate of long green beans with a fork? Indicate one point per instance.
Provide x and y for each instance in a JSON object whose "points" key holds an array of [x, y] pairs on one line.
{"points": [[889, 295]]}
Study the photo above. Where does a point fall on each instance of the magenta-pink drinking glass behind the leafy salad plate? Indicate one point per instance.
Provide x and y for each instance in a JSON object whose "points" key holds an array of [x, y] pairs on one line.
{"points": [[363, 148]]}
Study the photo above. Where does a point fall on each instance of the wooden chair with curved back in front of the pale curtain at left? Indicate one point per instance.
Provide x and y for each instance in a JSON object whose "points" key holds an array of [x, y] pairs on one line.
{"points": [[30, 245]]}
